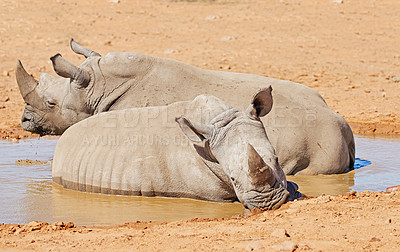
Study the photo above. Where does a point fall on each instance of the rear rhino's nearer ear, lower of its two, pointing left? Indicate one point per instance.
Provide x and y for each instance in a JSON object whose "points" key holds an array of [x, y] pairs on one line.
{"points": [[66, 69]]}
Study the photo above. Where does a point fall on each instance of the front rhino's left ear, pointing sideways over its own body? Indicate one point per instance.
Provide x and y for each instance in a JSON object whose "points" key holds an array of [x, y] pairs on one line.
{"points": [[199, 134]]}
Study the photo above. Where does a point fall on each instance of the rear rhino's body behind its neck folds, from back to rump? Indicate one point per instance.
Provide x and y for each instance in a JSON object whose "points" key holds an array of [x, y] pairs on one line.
{"points": [[298, 113]]}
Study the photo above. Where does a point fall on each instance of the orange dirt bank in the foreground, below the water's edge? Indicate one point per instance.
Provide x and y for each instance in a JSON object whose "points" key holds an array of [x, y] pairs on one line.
{"points": [[366, 221]]}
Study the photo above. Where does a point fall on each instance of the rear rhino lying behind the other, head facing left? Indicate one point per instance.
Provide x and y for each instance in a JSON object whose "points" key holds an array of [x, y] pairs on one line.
{"points": [[309, 138]]}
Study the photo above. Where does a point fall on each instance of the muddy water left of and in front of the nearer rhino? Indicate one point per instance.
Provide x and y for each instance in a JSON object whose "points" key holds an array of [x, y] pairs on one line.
{"points": [[27, 193]]}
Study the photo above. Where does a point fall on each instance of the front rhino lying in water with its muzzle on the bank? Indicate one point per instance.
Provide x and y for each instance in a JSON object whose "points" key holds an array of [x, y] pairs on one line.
{"points": [[225, 155]]}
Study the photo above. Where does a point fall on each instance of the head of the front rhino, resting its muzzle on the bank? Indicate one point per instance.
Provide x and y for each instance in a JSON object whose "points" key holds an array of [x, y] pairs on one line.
{"points": [[237, 141]]}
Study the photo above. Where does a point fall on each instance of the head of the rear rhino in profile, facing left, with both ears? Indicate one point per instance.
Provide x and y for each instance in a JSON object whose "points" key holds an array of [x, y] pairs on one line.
{"points": [[55, 103]]}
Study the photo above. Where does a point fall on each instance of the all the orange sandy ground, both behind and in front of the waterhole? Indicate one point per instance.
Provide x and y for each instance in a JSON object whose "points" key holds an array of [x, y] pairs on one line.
{"points": [[349, 52]]}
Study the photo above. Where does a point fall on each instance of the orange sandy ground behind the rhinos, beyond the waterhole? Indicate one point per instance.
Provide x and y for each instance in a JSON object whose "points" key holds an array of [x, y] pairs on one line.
{"points": [[349, 52]]}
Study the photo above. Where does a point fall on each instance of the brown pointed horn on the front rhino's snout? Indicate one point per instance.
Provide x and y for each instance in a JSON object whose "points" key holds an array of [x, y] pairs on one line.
{"points": [[260, 172]]}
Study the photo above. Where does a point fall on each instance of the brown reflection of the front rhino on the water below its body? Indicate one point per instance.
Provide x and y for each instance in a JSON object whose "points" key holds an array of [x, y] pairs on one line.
{"points": [[101, 209]]}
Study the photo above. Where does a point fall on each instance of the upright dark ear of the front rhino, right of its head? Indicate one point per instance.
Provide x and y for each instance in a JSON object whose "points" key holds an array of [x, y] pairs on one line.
{"points": [[262, 103]]}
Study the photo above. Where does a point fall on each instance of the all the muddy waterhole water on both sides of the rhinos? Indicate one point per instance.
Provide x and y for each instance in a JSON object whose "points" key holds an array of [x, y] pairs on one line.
{"points": [[27, 192]]}
